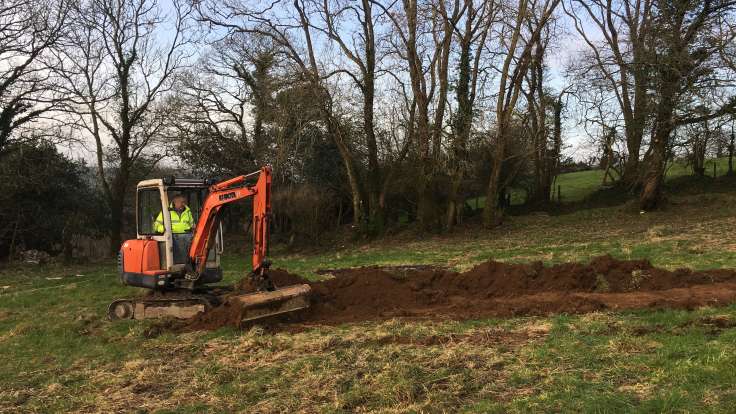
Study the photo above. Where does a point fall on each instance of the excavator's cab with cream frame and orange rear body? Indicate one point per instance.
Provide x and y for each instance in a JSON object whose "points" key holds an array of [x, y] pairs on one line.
{"points": [[158, 258]]}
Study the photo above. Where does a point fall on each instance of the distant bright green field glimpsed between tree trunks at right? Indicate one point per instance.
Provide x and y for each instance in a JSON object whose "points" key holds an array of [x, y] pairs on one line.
{"points": [[576, 186]]}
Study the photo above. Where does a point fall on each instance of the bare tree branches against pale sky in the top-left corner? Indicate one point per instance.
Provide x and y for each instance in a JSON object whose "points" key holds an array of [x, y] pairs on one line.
{"points": [[28, 30]]}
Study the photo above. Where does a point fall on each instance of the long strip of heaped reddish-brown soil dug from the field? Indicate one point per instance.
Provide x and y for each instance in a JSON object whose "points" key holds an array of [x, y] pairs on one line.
{"points": [[491, 289]]}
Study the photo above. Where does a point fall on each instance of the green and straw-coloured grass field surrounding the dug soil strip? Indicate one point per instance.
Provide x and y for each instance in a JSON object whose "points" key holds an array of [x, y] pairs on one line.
{"points": [[60, 354]]}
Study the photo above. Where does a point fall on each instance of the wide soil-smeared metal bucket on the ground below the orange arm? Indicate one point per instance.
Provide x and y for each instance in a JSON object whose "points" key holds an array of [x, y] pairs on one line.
{"points": [[264, 304]]}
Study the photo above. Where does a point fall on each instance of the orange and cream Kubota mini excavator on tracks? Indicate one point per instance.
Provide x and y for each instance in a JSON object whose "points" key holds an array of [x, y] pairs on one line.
{"points": [[180, 268]]}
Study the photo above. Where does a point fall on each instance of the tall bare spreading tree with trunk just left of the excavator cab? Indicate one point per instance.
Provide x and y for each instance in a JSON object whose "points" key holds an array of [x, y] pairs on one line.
{"points": [[117, 71]]}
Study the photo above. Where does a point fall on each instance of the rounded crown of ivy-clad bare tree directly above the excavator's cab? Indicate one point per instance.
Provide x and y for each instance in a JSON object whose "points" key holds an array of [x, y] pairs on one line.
{"points": [[229, 96]]}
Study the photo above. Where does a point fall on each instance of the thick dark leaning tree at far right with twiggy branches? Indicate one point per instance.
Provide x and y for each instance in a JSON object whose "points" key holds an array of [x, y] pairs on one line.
{"points": [[687, 55]]}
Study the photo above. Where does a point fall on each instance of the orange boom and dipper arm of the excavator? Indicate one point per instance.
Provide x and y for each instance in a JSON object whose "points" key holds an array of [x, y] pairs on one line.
{"points": [[226, 192]]}
